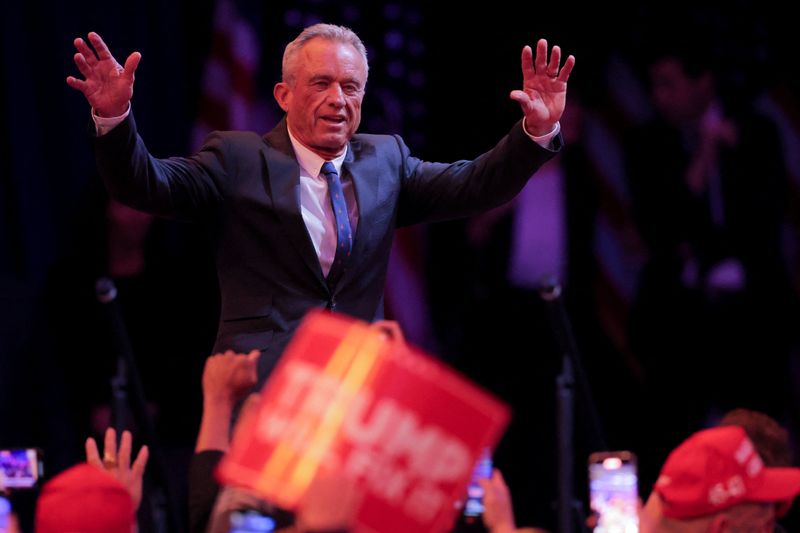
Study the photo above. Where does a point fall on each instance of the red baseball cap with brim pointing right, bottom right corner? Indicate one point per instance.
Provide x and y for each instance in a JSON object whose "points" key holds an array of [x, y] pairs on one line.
{"points": [[718, 468]]}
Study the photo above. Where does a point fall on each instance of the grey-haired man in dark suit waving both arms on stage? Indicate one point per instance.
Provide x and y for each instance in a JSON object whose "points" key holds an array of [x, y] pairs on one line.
{"points": [[277, 230]]}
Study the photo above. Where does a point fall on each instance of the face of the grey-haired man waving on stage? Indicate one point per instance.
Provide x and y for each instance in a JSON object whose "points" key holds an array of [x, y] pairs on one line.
{"points": [[323, 99]]}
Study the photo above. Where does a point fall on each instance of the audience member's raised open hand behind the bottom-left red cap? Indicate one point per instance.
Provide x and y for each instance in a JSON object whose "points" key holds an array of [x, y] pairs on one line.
{"points": [[118, 462]]}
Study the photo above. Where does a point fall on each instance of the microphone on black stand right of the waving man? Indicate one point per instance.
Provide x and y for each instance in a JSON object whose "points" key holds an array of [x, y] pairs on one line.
{"points": [[569, 508]]}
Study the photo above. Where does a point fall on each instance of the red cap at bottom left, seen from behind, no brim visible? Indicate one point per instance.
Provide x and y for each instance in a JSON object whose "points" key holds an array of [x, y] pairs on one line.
{"points": [[84, 498]]}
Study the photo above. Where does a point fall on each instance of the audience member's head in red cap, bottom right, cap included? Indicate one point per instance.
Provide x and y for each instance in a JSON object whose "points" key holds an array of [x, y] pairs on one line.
{"points": [[715, 480]]}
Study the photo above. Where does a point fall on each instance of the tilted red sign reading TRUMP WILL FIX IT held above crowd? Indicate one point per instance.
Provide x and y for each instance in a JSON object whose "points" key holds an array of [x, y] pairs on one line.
{"points": [[344, 400]]}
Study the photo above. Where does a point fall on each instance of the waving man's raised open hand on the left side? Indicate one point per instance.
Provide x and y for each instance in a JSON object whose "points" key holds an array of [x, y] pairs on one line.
{"points": [[108, 86]]}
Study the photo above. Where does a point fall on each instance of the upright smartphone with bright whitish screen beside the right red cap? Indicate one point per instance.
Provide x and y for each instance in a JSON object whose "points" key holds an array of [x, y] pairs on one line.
{"points": [[614, 491]]}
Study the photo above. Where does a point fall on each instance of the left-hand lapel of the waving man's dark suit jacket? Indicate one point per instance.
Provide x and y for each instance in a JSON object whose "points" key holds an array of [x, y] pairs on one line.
{"points": [[284, 184]]}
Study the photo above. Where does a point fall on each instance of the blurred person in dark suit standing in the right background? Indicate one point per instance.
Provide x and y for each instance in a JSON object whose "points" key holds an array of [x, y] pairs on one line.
{"points": [[707, 183]]}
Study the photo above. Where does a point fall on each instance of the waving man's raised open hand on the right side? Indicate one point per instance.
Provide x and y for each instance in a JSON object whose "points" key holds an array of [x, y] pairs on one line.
{"points": [[544, 88]]}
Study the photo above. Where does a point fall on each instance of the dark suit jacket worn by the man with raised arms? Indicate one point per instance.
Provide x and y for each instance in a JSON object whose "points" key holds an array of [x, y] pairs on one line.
{"points": [[247, 188]]}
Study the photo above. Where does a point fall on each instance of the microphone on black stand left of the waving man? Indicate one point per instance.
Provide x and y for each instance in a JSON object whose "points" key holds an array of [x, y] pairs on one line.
{"points": [[162, 507]]}
